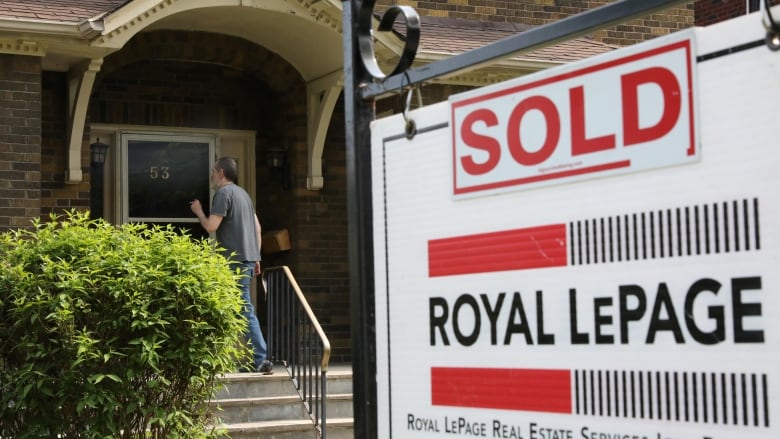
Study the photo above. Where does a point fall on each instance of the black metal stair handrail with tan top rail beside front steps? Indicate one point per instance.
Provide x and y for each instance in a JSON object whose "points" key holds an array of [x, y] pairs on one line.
{"points": [[296, 339]]}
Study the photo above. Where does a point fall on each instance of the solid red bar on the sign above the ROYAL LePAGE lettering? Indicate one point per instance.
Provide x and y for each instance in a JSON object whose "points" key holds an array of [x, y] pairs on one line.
{"points": [[519, 249]]}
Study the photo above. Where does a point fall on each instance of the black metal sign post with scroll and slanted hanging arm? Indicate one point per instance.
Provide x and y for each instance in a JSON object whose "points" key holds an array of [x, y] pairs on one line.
{"points": [[363, 83]]}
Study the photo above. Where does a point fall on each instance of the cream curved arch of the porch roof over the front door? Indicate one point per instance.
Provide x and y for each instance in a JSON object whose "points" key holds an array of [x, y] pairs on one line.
{"points": [[306, 34]]}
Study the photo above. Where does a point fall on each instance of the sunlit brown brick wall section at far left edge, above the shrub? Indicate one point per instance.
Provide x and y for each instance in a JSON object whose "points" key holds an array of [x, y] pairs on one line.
{"points": [[20, 140]]}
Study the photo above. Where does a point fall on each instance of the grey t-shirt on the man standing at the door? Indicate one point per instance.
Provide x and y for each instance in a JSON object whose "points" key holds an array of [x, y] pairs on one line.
{"points": [[236, 232]]}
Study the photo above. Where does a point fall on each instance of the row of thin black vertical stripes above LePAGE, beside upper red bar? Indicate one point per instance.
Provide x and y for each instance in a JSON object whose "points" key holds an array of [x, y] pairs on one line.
{"points": [[722, 227]]}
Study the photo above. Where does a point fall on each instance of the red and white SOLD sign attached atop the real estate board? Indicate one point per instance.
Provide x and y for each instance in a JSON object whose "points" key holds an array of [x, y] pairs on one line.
{"points": [[607, 116]]}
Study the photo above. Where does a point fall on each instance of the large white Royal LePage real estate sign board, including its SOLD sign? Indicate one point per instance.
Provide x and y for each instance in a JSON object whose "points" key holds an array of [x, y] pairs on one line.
{"points": [[589, 252]]}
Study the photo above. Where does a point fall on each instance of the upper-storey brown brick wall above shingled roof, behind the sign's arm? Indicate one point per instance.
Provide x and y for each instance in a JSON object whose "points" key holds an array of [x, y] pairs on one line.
{"points": [[538, 12]]}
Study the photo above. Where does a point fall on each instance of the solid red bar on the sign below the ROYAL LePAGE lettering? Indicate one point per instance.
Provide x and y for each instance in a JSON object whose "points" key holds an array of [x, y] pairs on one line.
{"points": [[535, 390]]}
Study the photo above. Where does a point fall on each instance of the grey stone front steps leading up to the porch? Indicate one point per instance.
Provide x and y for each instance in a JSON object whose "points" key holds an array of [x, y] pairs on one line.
{"points": [[256, 406]]}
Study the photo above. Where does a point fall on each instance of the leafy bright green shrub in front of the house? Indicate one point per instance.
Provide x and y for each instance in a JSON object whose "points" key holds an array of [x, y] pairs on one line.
{"points": [[112, 331]]}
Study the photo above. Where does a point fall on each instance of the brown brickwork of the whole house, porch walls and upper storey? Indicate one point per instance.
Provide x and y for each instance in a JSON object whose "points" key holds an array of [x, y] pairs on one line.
{"points": [[205, 80]]}
